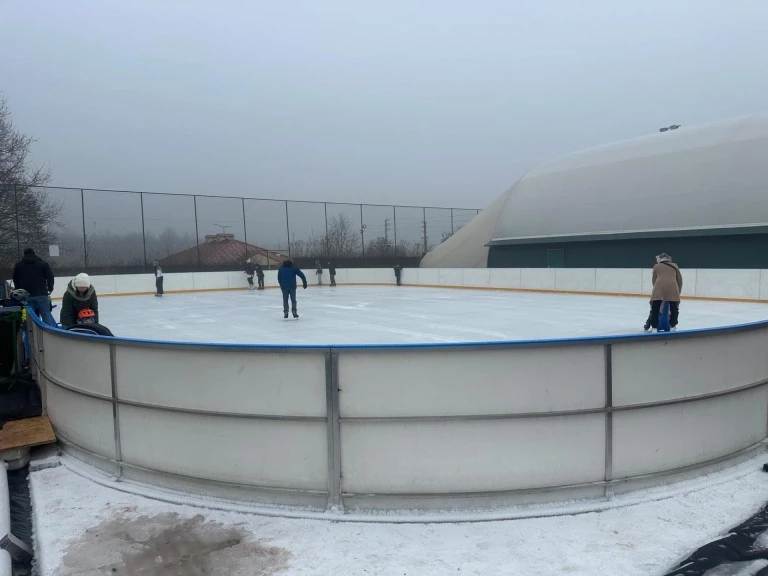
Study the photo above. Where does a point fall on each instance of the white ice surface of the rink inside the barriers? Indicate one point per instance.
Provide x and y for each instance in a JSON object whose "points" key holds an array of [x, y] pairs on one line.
{"points": [[384, 315]]}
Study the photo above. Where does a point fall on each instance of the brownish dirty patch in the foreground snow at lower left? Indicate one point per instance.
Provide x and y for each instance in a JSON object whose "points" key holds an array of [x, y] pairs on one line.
{"points": [[170, 545]]}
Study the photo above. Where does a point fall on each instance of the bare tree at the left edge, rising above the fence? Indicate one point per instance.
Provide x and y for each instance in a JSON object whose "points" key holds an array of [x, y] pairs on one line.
{"points": [[26, 213]]}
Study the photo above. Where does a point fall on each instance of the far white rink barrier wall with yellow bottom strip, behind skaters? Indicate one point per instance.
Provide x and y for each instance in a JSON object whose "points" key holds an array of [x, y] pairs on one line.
{"points": [[731, 285]]}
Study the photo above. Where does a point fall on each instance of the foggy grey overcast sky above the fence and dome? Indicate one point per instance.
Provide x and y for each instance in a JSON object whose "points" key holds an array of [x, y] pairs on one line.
{"points": [[439, 102]]}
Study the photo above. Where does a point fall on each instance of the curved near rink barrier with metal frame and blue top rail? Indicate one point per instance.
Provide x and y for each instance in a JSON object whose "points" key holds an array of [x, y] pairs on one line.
{"points": [[408, 426]]}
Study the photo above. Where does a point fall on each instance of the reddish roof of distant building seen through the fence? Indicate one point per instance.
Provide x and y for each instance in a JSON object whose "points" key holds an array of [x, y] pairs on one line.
{"points": [[223, 250]]}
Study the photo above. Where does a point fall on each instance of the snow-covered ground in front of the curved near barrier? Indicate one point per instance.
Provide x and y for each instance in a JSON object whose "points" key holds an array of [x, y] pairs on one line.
{"points": [[85, 528]]}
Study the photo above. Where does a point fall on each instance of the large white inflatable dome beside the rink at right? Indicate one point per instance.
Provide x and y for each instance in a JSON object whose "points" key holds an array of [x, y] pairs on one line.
{"points": [[697, 177]]}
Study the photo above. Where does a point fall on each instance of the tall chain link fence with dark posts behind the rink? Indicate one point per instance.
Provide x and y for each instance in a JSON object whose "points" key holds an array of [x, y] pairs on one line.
{"points": [[113, 232]]}
